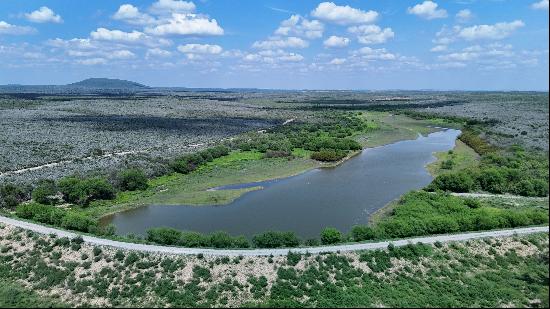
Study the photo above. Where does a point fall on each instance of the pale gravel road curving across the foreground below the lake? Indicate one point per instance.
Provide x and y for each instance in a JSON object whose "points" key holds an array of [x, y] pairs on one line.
{"points": [[266, 252]]}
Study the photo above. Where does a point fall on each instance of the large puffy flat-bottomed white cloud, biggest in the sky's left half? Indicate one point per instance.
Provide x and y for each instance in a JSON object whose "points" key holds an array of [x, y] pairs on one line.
{"points": [[187, 24]]}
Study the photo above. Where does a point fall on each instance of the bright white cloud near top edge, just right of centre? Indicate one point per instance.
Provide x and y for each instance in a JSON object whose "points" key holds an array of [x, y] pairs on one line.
{"points": [[343, 15]]}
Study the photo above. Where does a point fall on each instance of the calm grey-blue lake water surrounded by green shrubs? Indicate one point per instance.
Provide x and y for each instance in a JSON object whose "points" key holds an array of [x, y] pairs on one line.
{"points": [[338, 197]]}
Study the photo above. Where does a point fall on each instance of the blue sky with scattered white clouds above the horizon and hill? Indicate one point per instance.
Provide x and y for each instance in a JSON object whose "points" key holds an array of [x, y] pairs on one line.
{"points": [[458, 45]]}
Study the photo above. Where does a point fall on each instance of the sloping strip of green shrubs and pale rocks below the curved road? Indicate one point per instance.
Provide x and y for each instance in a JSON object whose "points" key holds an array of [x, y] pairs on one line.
{"points": [[498, 272]]}
